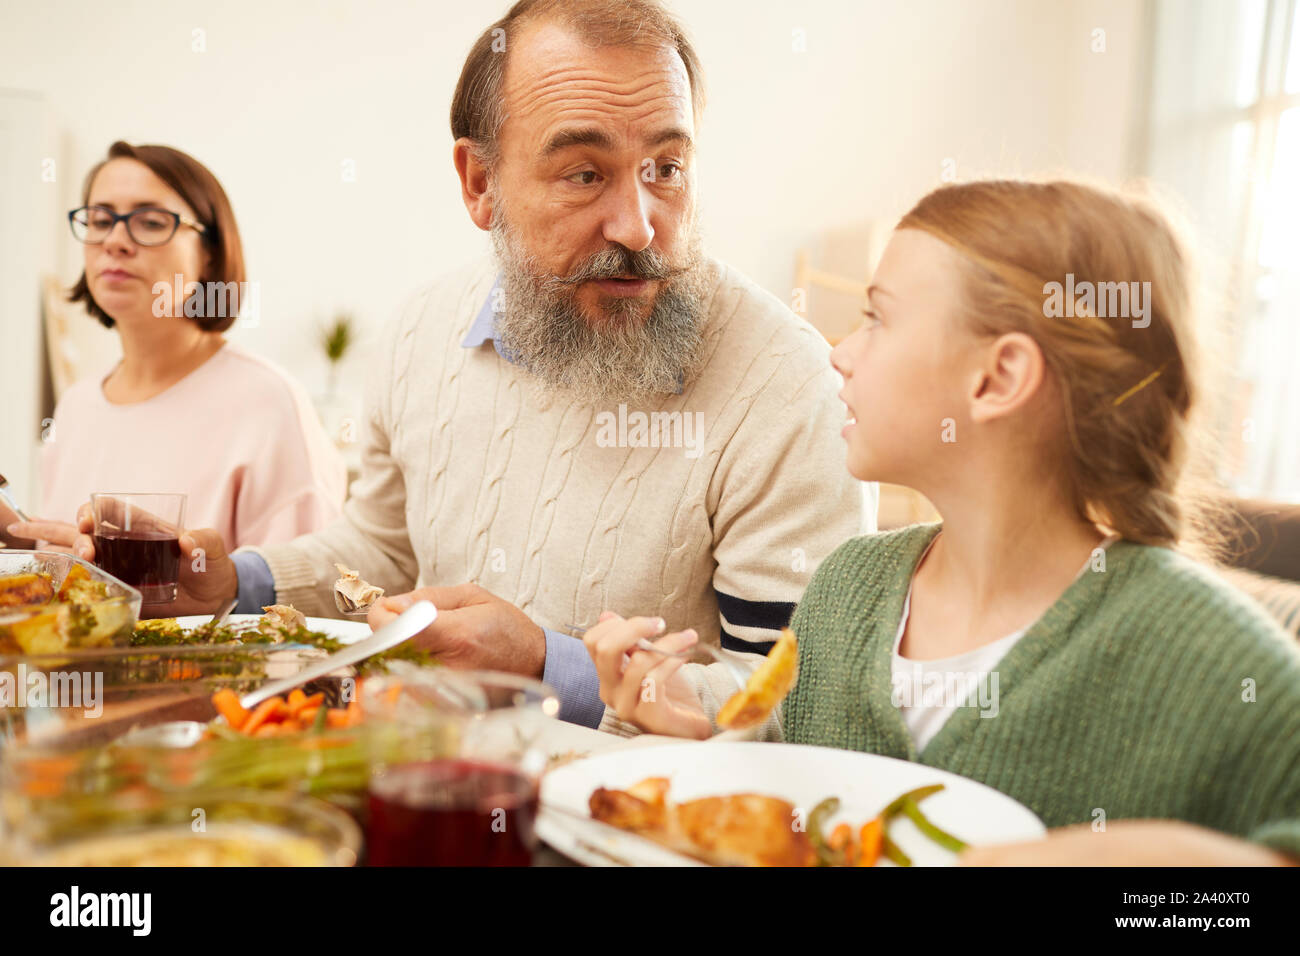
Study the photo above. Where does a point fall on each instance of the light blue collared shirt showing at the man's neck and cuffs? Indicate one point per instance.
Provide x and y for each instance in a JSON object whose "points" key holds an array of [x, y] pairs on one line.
{"points": [[569, 668]]}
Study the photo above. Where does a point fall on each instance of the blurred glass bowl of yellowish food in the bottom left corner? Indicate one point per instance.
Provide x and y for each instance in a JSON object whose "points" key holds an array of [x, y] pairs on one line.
{"points": [[215, 828]]}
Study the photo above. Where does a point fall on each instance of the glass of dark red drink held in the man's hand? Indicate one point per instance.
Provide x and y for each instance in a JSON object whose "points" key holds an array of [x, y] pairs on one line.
{"points": [[137, 540]]}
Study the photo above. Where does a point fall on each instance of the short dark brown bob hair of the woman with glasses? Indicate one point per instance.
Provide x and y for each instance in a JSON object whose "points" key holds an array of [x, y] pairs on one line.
{"points": [[202, 193]]}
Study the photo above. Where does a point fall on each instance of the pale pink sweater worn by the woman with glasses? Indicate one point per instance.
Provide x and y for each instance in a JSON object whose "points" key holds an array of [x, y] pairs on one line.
{"points": [[239, 436]]}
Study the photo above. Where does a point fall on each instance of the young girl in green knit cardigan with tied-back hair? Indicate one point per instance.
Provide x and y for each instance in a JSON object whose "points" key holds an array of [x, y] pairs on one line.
{"points": [[1085, 665]]}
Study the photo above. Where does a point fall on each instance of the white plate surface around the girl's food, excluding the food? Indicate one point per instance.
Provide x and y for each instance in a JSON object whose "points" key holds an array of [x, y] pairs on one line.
{"points": [[805, 776]]}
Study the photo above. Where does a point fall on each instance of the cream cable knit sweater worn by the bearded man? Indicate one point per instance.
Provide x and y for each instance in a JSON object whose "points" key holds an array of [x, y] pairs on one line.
{"points": [[469, 477]]}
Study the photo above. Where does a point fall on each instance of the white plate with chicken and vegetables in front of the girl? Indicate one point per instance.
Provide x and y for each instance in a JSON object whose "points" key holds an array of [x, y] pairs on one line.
{"points": [[770, 804]]}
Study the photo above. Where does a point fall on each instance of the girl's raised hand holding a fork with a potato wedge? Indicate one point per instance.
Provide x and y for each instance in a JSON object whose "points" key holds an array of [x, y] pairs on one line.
{"points": [[645, 689]]}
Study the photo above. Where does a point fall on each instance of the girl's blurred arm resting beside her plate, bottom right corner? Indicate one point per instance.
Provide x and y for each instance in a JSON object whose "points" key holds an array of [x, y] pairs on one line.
{"points": [[1129, 843]]}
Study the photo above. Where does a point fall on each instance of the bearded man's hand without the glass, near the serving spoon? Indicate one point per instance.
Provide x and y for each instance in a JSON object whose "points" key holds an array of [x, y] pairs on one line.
{"points": [[475, 630]]}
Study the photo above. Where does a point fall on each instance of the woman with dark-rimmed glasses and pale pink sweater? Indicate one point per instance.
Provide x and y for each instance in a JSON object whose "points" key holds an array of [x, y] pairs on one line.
{"points": [[184, 410]]}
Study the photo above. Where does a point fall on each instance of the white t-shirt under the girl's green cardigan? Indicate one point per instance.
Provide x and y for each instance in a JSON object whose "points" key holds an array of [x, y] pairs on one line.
{"points": [[928, 693]]}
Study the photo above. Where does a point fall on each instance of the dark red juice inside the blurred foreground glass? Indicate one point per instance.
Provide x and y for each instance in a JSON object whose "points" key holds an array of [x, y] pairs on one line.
{"points": [[452, 814]]}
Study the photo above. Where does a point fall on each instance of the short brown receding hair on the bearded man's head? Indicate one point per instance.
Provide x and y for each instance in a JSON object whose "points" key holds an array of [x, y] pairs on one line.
{"points": [[478, 107]]}
